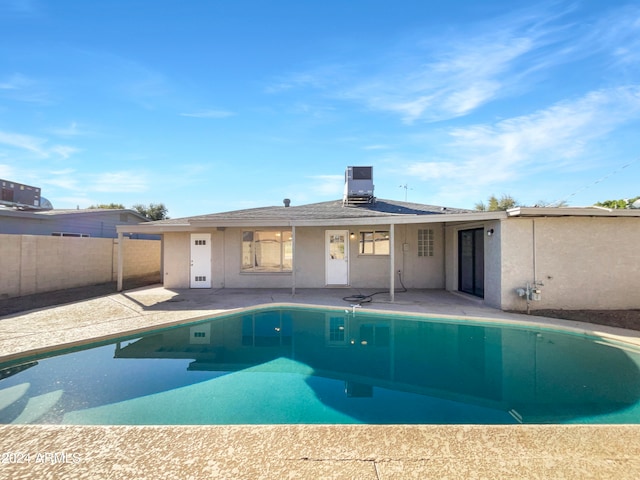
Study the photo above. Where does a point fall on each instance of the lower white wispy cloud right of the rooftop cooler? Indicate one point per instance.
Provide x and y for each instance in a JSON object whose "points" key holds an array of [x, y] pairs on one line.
{"points": [[550, 139]]}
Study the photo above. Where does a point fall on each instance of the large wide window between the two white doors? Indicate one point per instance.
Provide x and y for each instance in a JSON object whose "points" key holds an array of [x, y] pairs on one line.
{"points": [[267, 251]]}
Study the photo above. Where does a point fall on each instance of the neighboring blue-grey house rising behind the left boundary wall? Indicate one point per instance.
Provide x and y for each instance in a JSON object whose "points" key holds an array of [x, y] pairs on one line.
{"points": [[96, 223]]}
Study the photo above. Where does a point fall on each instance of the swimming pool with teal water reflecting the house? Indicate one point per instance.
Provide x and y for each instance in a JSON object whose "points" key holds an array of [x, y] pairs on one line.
{"points": [[312, 366]]}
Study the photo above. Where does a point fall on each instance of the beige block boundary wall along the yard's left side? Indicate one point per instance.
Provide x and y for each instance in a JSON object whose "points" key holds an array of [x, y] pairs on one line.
{"points": [[39, 263]]}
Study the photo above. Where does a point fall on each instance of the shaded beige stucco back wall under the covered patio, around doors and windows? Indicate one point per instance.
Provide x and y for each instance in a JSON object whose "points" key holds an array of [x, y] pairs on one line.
{"points": [[366, 271]]}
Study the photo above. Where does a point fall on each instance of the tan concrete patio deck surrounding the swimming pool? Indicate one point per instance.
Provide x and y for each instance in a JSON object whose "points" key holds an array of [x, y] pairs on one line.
{"points": [[292, 451]]}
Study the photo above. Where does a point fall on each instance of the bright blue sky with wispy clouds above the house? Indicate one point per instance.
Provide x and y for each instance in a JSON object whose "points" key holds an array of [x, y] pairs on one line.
{"points": [[210, 106]]}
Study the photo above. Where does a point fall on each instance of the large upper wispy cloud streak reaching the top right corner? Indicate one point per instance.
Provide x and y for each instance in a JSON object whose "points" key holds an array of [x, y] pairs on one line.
{"points": [[437, 78]]}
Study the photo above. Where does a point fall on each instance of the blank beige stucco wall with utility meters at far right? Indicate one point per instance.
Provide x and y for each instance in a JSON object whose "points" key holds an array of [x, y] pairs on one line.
{"points": [[584, 262]]}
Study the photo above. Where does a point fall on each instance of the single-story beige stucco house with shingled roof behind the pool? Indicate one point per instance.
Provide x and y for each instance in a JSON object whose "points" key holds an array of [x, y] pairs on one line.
{"points": [[522, 259]]}
